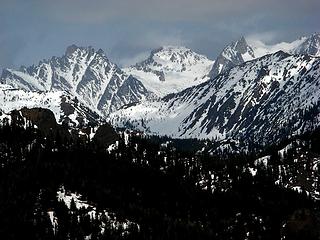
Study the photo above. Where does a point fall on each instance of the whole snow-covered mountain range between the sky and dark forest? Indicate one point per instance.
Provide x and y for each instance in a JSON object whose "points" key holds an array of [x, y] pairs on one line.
{"points": [[218, 107]]}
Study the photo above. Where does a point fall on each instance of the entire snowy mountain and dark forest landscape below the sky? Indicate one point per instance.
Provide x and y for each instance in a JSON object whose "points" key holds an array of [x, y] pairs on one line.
{"points": [[177, 146]]}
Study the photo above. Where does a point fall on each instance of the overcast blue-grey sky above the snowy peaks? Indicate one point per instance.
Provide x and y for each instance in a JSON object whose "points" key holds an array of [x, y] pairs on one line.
{"points": [[127, 30]]}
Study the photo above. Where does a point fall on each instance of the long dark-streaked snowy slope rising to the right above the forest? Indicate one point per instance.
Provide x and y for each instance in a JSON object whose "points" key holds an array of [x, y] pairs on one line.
{"points": [[260, 99]]}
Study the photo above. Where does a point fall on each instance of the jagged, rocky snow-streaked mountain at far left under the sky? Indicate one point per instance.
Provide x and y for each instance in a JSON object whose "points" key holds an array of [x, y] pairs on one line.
{"points": [[81, 72]]}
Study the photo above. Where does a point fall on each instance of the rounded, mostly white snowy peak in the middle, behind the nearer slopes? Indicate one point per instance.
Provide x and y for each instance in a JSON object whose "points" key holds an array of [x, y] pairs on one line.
{"points": [[171, 69]]}
